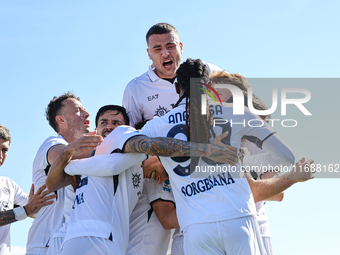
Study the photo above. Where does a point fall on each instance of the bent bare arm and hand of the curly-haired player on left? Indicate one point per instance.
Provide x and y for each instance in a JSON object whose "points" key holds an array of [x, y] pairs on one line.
{"points": [[59, 156]]}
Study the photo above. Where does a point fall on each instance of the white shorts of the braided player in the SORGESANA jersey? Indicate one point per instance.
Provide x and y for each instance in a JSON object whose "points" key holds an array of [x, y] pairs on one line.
{"points": [[233, 237]]}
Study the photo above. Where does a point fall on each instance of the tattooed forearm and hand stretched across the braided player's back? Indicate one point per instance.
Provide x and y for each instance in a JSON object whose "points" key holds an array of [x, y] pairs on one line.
{"points": [[170, 147]]}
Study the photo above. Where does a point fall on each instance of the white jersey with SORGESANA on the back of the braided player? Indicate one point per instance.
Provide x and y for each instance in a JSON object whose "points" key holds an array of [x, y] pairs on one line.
{"points": [[217, 196]]}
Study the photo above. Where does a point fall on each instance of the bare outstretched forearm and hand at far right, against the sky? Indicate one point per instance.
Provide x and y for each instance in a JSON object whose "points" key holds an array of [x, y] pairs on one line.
{"points": [[264, 189]]}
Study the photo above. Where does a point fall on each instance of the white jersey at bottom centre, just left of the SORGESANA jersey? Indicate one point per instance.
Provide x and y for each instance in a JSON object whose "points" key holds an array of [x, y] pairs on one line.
{"points": [[147, 235]]}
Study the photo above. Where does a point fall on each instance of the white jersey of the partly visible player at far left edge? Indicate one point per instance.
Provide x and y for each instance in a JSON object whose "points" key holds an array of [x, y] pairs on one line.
{"points": [[10, 195]]}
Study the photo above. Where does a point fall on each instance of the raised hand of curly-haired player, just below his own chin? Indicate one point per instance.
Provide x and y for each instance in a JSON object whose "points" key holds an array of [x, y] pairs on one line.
{"points": [[86, 143]]}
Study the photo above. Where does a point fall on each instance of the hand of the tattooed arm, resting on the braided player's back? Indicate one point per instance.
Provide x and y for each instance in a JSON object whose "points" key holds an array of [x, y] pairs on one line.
{"points": [[221, 152]]}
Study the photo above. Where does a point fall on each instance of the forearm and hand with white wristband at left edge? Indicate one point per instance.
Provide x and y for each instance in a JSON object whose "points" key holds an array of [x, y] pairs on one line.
{"points": [[35, 202]]}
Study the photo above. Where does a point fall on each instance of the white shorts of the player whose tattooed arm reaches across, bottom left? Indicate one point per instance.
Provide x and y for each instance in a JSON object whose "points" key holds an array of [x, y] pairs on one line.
{"points": [[89, 245]]}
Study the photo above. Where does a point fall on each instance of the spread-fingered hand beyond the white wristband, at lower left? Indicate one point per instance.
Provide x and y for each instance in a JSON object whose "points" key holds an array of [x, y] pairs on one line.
{"points": [[38, 200]]}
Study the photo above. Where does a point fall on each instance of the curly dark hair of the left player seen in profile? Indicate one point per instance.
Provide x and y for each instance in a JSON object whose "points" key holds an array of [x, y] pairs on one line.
{"points": [[54, 107]]}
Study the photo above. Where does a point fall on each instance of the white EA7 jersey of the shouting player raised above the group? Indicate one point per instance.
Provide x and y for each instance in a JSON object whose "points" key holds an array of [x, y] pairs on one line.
{"points": [[148, 95]]}
